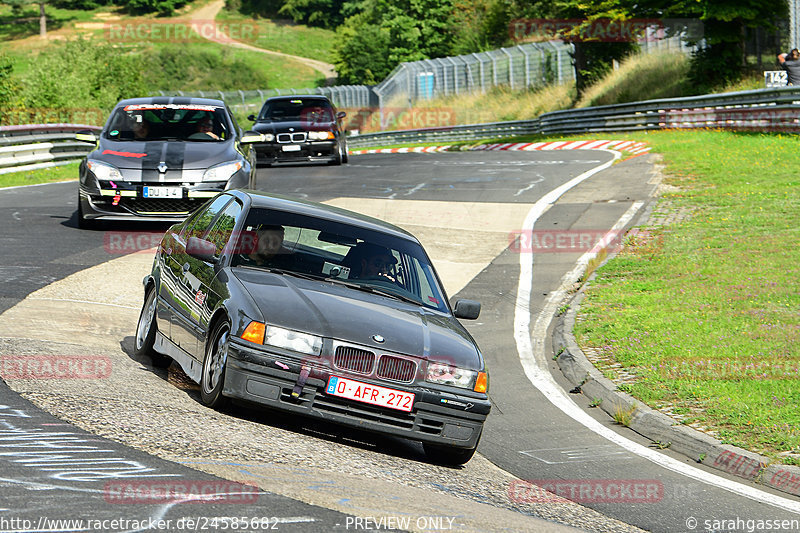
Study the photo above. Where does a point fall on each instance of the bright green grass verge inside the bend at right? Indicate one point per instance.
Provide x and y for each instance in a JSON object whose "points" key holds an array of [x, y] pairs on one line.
{"points": [[704, 313]]}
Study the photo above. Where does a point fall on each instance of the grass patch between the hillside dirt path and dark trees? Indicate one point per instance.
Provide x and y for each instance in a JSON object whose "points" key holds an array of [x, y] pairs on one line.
{"points": [[283, 36]]}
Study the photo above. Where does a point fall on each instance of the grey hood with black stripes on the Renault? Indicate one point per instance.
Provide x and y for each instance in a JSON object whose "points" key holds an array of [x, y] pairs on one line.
{"points": [[177, 155]]}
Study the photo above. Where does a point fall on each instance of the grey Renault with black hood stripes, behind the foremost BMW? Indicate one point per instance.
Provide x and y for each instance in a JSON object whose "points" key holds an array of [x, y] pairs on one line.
{"points": [[162, 158]]}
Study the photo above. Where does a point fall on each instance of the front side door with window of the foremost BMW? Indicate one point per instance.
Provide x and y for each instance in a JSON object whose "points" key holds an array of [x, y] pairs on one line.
{"points": [[180, 286]]}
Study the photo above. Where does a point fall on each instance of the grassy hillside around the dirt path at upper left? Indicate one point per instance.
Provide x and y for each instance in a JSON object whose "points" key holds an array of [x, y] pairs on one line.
{"points": [[171, 60]]}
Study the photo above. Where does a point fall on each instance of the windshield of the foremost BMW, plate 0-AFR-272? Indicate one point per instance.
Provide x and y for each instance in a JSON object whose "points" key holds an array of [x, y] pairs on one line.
{"points": [[359, 258]]}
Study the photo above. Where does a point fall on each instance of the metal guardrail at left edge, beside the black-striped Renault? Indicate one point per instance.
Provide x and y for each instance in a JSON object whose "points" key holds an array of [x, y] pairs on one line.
{"points": [[34, 146]]}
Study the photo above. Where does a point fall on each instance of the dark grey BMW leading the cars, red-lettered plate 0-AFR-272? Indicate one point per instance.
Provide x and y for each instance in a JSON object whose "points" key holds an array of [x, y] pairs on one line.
{"points": [[317, 311]]}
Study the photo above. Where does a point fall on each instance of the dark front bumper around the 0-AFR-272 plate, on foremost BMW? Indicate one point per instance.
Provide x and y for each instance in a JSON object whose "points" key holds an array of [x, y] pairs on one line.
{"points": [[256, 377]]}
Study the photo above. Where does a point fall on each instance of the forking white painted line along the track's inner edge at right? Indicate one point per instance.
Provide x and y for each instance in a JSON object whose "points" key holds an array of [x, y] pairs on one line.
{"points": [[534, 360]]}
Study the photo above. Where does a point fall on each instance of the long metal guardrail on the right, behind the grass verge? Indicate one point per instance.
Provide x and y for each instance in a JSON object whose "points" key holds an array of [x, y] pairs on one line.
{"points": [[759, 110]]}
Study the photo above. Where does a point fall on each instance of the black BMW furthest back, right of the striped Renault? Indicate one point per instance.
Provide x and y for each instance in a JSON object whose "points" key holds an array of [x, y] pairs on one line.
{"points": [[300, 128]]}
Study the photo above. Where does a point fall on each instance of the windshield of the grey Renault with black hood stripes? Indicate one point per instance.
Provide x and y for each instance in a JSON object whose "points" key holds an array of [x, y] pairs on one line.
{"points": [[168, 122]]}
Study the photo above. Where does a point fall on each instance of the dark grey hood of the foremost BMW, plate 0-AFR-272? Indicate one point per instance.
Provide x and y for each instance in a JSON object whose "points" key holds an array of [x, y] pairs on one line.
{"points": [[335, 311]]}
